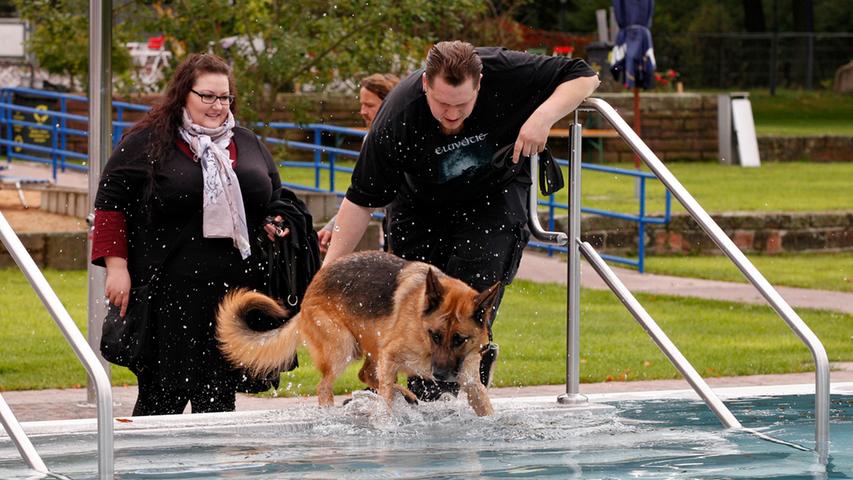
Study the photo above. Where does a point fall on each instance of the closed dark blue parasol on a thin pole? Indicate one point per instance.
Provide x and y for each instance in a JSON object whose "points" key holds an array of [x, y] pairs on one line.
{"points": [[633, 53]]}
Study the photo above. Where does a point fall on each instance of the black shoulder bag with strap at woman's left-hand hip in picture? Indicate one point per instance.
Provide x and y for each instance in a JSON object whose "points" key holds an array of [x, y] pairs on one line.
{"points": [[127, 341]]}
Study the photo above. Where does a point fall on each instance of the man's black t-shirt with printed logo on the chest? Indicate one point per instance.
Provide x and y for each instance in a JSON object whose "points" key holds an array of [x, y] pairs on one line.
{"points": [[407, 156]]}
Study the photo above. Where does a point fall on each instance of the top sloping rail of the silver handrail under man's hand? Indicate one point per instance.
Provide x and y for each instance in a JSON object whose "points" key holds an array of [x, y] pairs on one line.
{"points": [[739, 259]]}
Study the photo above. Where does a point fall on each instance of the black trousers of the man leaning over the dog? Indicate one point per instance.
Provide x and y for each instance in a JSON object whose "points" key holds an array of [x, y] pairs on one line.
{"points": [[479, 243]]}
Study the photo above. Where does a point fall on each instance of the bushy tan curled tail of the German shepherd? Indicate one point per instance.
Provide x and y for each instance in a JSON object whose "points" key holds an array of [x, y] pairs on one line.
{"points": [[259, 352]]}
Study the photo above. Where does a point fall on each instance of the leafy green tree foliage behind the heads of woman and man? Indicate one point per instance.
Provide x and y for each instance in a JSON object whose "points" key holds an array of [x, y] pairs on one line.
{"points": [[306, 44]]}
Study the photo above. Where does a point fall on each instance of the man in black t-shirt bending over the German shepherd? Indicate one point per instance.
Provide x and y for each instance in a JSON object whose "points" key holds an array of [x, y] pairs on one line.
{"points": [[445, 151]]}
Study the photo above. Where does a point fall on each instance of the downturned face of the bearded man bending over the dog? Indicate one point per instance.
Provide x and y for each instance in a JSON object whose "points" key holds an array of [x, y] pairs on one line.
{"points": [[451, 105]]}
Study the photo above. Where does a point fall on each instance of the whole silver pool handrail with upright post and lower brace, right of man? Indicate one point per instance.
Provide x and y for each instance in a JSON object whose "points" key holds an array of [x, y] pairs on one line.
{"points": [[577, 247]]}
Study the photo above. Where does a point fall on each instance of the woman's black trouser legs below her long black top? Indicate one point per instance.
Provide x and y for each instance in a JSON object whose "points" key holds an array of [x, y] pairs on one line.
{"points": [[163, 398]]}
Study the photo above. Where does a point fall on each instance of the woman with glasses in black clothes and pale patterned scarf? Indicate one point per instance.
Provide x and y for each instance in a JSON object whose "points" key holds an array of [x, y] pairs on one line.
{"points": [[186, 193]]}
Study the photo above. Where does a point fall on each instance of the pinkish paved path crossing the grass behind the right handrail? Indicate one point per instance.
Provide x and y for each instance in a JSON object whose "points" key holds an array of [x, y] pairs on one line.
{"points": [[541, 268]]}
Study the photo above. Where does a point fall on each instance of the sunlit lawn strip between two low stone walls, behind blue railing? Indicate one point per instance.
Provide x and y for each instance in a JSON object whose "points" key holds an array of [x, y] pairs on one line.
{"points": [[774, 187]]}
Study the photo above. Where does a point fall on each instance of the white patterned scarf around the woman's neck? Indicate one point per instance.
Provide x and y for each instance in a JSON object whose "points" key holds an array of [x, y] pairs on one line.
{"points": [[224, 214]]}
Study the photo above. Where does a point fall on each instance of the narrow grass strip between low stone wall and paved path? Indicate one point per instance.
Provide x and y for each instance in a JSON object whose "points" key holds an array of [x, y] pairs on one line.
{"points": [[824, 271]]}
